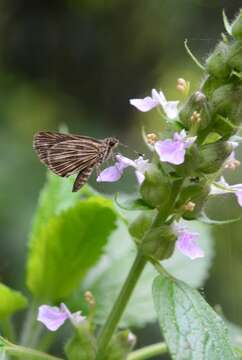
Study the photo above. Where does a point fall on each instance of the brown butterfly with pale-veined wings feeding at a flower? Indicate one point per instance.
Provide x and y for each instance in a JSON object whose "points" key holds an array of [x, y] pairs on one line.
{"points": [[67, 154]]}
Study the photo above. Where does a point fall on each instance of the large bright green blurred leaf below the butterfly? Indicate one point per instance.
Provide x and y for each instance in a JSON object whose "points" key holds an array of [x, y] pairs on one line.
{"points": [[68, 245]]}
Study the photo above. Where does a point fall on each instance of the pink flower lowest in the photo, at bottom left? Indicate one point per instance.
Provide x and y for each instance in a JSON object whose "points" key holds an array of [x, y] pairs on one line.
{"points": [[53, 317]]}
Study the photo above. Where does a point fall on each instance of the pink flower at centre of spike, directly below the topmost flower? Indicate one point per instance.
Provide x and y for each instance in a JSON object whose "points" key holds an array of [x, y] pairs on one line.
{"points": [[173, 150]]}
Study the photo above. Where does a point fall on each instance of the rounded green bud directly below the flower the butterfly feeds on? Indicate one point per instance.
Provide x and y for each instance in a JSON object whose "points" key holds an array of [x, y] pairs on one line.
{"points": [[156, 188]]}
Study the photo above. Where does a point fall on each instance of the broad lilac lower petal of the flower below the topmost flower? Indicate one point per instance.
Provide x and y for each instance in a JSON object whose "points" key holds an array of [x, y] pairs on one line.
{"points": [[171, 151]]}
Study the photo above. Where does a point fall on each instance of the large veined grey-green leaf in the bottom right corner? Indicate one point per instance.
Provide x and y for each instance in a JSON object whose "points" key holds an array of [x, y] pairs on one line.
{"points": [[192, 329]]}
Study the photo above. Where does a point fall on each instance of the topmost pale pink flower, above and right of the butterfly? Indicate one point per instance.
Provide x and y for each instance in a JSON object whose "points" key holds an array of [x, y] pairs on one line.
{"points": [[156, 99]]}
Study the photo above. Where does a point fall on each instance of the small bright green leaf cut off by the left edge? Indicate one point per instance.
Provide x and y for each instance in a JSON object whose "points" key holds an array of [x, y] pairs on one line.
{"points": [[10, 301]]}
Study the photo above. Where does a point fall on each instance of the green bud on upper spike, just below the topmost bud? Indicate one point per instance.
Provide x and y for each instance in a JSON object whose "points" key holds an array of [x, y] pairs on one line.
{"points": [[217, 64]]}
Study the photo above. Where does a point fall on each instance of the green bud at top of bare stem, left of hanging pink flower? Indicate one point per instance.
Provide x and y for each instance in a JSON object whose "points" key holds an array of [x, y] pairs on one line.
{"points": [[158, 243]]}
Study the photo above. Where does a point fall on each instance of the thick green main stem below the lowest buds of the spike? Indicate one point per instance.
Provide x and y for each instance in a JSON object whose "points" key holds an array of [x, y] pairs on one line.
{"points": [[109, 327]]}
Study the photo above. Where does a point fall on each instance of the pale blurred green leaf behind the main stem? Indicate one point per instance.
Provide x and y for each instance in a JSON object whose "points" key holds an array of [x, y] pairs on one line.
{"points": [[106, 279]]}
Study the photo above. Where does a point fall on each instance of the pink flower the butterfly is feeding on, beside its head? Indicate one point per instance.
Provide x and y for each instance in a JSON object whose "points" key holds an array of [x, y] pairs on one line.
{"points": [[114, 173]]}
